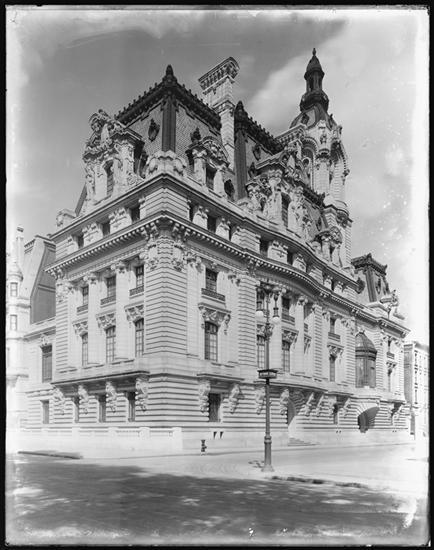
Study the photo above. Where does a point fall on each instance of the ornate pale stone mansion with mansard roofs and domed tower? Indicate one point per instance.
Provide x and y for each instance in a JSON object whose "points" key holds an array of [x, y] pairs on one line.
{"points": [[189, 205]]}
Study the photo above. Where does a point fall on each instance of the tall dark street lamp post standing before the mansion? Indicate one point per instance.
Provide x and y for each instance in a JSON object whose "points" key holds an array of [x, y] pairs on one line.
{"points": [[267, 291]]}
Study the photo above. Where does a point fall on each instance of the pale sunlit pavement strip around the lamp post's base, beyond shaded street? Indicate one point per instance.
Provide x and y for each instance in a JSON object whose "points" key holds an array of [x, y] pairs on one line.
{"points": [[398, 468]]}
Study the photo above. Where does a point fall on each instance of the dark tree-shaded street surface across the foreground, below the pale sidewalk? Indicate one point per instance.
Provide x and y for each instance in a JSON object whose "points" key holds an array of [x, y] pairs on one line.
{"points": [[56, 501]]}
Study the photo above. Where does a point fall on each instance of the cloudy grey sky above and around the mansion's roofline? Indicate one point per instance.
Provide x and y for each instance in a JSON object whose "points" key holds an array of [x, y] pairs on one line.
{"points": [[63, 64]]}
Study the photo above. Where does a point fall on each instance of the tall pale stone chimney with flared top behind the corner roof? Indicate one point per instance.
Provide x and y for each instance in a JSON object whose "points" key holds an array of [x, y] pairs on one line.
{"points": [[217, 92]]}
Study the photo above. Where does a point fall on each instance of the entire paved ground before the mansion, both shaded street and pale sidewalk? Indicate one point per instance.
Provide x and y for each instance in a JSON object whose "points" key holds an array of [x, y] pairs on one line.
{"points": [[220, 499]]}
